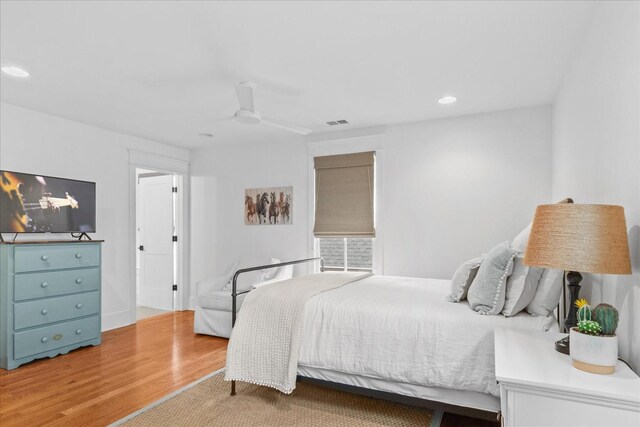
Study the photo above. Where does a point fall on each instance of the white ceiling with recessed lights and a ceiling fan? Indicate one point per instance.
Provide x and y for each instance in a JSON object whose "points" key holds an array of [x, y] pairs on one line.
{"points": [[165, 70]]}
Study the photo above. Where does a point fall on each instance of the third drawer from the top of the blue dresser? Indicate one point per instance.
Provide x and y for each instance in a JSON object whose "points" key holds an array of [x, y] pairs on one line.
{"points": [[49, 310]]}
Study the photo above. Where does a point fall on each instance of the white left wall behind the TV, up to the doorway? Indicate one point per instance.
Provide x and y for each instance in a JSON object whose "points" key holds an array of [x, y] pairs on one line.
{"points": [[43, 144]]}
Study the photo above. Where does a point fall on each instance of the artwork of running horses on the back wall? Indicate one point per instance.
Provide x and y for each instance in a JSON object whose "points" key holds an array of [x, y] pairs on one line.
{"points": [[268, 206]]}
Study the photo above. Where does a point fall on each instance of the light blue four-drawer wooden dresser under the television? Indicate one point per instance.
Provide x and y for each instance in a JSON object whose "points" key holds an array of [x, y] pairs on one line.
{"points": [[49, 299]]}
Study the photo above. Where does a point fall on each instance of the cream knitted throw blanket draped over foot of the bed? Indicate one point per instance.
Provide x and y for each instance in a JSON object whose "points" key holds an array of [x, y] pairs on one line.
{"points": [[263, 348]]}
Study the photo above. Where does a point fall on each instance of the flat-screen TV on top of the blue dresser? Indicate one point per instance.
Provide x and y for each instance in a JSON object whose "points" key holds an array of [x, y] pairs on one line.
{"points": [[44, 204]]}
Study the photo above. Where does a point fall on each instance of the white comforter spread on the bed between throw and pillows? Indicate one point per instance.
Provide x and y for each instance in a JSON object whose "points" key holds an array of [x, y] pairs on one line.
{"points": [[402, 329]]}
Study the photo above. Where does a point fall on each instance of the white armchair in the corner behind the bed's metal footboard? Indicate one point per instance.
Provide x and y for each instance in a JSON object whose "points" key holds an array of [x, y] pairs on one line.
{"points": [[213, 297]]}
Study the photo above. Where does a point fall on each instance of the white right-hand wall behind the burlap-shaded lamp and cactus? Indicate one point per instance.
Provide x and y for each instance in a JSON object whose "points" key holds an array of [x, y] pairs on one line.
{"points": [[596, 147]]}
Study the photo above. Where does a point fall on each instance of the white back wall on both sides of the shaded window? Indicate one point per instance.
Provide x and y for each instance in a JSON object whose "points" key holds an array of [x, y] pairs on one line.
{"points": [[453, 188]]}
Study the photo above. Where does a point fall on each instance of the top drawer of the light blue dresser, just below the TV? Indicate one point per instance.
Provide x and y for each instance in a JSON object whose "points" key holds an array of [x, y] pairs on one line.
{"points": [[54, 257]]}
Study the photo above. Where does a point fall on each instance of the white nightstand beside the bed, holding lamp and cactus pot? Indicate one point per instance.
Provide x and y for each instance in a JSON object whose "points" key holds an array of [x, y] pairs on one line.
{"points": [[539, 387]]}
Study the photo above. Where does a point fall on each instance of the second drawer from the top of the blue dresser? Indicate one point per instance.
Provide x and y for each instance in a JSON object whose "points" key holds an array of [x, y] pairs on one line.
{"points": [[41, 285]]}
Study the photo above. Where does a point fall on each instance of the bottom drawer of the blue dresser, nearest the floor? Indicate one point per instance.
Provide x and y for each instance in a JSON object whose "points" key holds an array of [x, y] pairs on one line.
{"points": [[49, 338]]}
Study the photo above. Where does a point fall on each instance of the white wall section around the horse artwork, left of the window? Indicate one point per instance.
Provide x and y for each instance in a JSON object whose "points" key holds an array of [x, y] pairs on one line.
{"points": [[219, 177]]}
